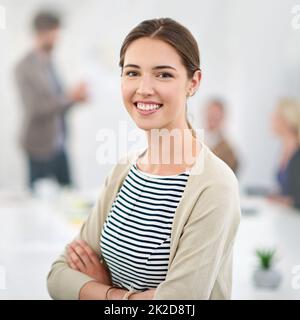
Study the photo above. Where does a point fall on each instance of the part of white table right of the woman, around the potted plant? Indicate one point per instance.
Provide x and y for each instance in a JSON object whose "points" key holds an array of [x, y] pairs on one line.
{"points": [[271, 226]]}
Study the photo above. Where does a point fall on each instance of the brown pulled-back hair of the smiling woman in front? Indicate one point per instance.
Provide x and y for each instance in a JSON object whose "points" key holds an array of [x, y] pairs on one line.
{"points": [[173, 33]]}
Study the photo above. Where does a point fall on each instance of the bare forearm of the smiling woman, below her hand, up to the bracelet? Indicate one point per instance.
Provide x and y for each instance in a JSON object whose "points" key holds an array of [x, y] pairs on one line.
{"points": [[94, 290]]}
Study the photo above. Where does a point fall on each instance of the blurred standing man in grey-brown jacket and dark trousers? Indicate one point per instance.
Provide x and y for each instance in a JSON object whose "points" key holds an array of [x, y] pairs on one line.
{"points": [[45, 104]]}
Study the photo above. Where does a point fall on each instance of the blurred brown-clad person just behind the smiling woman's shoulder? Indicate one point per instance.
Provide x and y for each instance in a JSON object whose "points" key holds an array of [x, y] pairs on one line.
{"points": [[214, 133]]}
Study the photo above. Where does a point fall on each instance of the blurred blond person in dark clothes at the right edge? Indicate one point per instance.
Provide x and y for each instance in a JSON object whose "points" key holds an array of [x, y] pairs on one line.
{"points": [[286, 125]]}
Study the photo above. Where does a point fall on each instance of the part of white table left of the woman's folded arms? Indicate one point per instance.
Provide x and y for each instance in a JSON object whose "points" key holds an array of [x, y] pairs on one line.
{"points": [[32, 234]]}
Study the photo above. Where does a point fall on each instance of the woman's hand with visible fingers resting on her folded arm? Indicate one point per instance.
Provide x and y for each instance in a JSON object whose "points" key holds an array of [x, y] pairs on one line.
{"points": [[82, 258]]}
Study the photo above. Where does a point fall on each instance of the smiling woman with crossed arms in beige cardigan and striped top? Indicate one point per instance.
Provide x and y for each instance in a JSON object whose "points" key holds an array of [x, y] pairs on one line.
{"points": [[165, 221]]}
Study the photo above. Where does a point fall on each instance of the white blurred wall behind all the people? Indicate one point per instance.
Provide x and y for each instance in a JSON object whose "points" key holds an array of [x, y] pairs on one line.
{"points": [[249, 51]]}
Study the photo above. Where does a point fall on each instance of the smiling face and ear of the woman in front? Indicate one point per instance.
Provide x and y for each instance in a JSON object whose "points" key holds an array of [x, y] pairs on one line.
{"points": [[155, 85]]}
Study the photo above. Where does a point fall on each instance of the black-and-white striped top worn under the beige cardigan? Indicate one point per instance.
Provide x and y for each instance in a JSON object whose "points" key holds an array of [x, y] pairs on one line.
{"points": [[135, 239]]}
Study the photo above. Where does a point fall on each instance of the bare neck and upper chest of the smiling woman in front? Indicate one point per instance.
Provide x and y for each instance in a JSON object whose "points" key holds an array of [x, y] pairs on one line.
{"points": [[169, 152]]}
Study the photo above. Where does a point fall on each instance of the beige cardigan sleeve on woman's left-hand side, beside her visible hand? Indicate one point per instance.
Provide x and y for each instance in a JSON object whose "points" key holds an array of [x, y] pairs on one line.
{"points": [[63, 282]]}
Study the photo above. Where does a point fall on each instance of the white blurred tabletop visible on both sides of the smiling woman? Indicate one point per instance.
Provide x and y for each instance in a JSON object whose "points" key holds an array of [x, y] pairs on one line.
{"points": [[33, 233]]}
